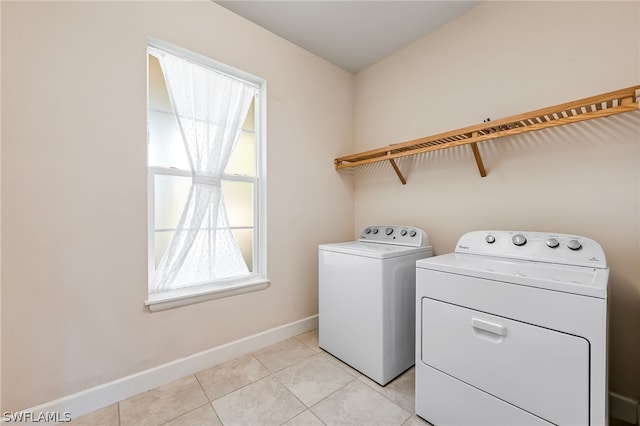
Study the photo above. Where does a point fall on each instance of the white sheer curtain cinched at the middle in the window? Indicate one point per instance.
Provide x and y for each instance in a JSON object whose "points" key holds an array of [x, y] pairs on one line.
{"points": [[211, 109]]}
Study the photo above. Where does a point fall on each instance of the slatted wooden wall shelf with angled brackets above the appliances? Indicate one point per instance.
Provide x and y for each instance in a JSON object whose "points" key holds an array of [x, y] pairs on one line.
{"points": [[604, 105]]}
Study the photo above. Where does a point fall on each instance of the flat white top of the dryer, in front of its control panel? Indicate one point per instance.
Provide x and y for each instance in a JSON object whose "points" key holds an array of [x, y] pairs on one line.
{"points": [[586, 281]]}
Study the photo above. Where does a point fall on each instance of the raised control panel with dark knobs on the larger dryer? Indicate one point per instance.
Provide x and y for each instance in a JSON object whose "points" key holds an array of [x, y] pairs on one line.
{"points": [[565, 249]]}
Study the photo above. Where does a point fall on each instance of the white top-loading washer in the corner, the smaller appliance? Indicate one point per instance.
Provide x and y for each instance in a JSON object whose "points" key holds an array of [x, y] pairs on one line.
{"points": [[366, 295]]}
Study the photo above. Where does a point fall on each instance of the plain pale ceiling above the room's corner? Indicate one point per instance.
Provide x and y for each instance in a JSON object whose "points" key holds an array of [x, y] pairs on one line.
{"points": [[350, 34]]}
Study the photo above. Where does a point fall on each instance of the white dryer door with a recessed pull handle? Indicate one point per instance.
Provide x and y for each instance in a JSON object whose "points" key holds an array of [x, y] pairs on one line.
{"points": [[542, 371]]}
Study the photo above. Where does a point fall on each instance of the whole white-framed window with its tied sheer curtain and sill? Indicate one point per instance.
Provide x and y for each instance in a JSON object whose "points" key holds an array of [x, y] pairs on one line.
{"points": [[206, 179]]}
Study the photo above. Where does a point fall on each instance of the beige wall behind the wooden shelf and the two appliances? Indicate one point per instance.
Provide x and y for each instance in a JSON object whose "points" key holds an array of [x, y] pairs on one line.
{"points": [[502, 59]]}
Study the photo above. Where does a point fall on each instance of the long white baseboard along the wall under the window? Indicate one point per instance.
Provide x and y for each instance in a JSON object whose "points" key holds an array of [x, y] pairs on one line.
{"points": [[109, 393]]}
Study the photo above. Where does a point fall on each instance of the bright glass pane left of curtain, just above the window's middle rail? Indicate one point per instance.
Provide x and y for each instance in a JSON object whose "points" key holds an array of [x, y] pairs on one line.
{"points": [[166, 148]]}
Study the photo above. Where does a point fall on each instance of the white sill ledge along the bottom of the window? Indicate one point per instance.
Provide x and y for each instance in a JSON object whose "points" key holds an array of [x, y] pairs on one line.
{"points": [[188, 296]]}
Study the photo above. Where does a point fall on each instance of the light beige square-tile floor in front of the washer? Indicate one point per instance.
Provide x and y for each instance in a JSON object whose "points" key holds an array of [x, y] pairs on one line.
{"points": [[291, 383]]}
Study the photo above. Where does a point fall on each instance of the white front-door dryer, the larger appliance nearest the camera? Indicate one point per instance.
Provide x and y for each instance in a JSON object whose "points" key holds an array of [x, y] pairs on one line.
{"points": [[512, 330]]}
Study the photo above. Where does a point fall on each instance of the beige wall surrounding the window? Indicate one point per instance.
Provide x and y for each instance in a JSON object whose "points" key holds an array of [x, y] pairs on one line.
{"points": [[74, 189]]}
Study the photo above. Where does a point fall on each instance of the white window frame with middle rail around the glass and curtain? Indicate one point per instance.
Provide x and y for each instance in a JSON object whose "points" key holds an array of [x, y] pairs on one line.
{"points": [[257, 279]]}
